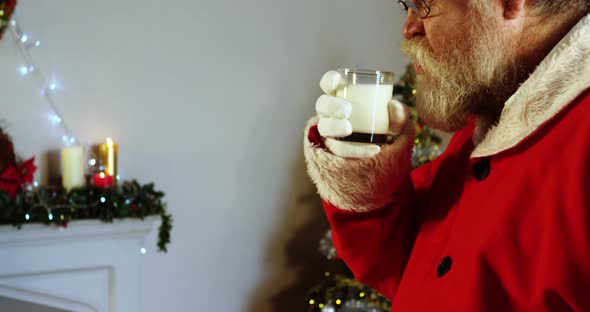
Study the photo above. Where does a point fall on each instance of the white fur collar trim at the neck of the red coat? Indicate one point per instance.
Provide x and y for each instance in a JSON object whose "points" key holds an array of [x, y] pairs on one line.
{"points": [[554, 84]]}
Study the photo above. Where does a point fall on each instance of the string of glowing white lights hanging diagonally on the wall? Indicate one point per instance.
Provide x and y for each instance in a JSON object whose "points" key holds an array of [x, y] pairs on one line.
{"points": [[25, 42]]}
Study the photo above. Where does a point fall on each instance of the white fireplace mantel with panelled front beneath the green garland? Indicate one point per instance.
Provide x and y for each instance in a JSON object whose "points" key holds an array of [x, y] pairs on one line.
{"points": [[88, 266]]}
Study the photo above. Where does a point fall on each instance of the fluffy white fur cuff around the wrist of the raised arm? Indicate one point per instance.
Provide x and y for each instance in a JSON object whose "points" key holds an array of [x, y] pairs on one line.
{"points": [[360, 184]]}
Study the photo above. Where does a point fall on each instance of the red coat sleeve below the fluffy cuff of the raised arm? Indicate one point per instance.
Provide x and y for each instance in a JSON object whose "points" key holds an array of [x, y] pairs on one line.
{"points": [[376, 245]]}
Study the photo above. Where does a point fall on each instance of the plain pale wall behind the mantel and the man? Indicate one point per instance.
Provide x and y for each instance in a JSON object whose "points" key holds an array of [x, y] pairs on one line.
{"points": [[208, 99]]}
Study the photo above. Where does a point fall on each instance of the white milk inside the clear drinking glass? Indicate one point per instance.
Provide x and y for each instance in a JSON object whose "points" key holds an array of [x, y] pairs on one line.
{"points": [[369, 107]]}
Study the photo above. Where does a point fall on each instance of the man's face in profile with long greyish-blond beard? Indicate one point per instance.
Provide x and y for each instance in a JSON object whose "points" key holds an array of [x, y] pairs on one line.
{"points": [[462, 63]]}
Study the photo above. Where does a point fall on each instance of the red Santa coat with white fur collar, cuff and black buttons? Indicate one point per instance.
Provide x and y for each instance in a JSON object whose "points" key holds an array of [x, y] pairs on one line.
{"points": [[503, 225]]}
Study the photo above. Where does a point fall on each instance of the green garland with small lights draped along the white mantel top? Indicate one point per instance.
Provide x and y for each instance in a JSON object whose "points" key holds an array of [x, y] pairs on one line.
{"points": [[57, 206]]}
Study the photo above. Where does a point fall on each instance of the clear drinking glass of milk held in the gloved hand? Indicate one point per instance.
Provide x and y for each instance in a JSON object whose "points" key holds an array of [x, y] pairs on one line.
{"points": [[369, 91]]}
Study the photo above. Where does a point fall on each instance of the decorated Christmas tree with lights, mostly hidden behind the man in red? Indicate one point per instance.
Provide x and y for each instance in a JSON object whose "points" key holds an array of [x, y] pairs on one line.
{"points": [[339, 291]]}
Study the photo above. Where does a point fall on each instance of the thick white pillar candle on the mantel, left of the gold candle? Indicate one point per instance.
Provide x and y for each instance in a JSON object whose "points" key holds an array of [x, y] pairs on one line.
{"points": [[72, 167]]}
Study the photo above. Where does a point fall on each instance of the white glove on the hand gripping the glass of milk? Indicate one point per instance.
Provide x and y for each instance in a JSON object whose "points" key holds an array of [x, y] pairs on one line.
{"points": [[333, 113]]}
